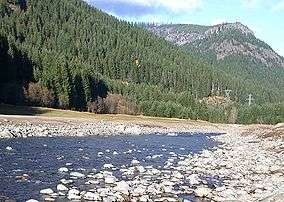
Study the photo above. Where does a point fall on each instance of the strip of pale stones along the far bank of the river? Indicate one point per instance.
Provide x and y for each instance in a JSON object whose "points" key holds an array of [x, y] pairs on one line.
{"points": [[20, 126]]}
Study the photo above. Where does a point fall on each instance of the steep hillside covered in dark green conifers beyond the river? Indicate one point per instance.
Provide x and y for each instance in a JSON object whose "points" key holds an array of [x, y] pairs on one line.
{"points": [[66, 54]]}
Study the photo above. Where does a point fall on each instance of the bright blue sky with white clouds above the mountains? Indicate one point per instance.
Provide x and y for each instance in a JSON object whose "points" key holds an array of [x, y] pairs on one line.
{"points": [[264, 17]]}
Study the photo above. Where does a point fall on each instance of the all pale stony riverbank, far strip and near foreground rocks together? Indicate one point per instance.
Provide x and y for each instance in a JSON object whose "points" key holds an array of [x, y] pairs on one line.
{"points": [[247, 165]]}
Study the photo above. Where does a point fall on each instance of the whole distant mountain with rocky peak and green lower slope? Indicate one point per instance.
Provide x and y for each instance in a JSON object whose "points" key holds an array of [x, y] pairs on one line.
{"points": [[230, 47]]}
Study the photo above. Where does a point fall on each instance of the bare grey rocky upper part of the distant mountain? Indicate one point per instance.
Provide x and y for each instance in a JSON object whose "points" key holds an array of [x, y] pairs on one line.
{"points": [[223, 39]]}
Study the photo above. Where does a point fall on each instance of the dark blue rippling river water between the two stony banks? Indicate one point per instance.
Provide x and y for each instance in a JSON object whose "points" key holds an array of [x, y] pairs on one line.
{"points": [[33, 163]]}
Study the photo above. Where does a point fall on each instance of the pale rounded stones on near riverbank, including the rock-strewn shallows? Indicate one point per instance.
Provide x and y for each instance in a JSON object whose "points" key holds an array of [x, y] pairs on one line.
{"points": [[242, 168]]}
